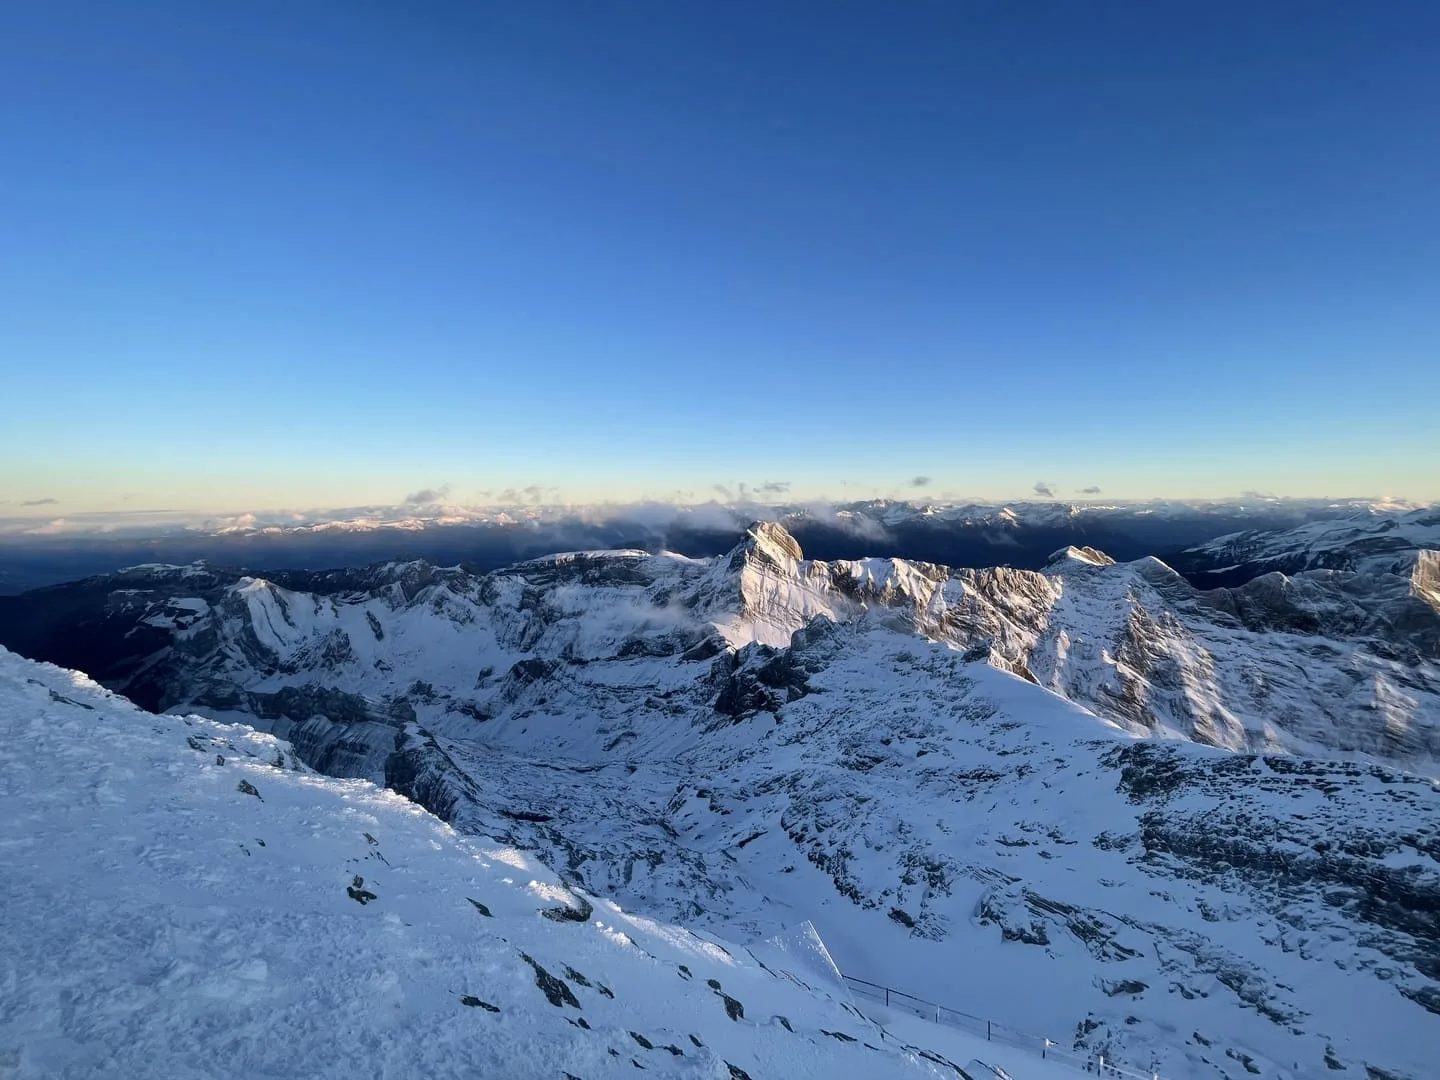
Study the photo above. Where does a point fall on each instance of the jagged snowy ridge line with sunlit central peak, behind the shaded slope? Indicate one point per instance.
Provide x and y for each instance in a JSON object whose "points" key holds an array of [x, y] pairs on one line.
{"points": [[1326, 662]]}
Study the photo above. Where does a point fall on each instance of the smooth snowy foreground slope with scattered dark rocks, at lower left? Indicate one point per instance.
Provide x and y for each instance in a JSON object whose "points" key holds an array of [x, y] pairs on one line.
{"points": [[184, 899]]}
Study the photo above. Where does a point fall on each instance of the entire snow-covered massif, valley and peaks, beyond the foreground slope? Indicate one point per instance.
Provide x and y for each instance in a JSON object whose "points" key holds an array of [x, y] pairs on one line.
{"points": [[747, 742]]}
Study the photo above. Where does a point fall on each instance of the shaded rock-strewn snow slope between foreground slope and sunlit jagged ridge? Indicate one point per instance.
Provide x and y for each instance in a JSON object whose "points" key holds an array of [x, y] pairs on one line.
{"points": [[963, 834]]}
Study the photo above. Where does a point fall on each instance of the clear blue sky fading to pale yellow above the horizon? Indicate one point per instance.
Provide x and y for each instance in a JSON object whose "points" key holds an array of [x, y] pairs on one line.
{"points": [[326, 254]]}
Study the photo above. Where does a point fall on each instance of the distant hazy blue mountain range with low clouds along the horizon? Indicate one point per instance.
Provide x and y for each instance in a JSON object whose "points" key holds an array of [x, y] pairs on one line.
{"points": [[1025, 535]]}
